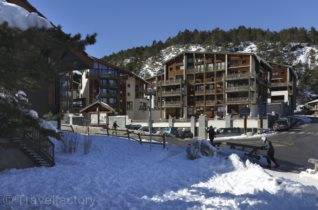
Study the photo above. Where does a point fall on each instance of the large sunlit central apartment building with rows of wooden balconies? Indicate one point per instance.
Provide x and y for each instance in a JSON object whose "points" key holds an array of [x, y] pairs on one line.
{"points": [[214, 84]]}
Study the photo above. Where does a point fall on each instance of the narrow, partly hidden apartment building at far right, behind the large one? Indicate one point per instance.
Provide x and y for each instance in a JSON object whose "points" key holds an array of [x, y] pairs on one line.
{"points": [[282, 99]]}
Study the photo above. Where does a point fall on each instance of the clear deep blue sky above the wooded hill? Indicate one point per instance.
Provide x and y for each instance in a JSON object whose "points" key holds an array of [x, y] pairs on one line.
{"points": [[121, 24]]}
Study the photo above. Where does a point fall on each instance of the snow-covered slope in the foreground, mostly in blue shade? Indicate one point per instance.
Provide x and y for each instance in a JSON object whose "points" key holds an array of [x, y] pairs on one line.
{"points": [[122, 174]]}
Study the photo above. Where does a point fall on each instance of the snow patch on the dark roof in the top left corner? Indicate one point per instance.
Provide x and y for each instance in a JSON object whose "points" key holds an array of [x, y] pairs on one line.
{"points": [[18, 17]]}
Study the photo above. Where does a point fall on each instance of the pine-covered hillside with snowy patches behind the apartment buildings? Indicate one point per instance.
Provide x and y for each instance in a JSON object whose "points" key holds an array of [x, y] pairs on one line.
{"points": [[293, 46]]}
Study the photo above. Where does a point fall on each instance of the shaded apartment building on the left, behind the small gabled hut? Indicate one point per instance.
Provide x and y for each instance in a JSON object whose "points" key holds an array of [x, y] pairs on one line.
{"points": [[119, 88]]}
